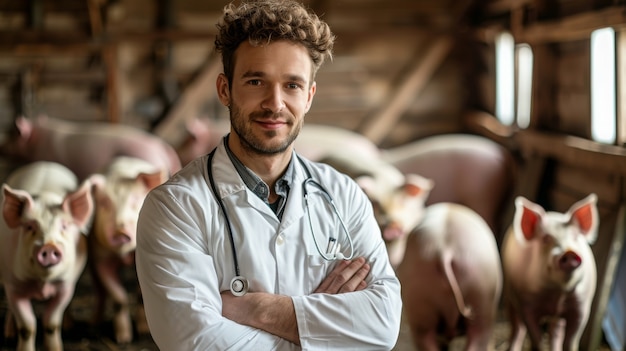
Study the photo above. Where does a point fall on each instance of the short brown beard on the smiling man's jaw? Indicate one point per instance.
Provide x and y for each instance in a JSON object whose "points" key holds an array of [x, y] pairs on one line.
{"points": [[256, 144]]}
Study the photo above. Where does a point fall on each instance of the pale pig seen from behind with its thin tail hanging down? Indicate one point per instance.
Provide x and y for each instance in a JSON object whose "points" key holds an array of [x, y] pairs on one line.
{"points": [[451, 279]]}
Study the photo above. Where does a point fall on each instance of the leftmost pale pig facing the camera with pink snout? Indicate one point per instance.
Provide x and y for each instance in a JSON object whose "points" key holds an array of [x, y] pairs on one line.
{"points": [[43, 247]]}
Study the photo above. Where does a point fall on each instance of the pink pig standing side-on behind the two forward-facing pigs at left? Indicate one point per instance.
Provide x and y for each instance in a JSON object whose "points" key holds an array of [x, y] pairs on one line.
{"points": [[86, 148]]}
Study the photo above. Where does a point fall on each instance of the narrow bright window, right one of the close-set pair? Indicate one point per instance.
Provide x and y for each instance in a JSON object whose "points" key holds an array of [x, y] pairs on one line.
{"points": [[524, 58]]}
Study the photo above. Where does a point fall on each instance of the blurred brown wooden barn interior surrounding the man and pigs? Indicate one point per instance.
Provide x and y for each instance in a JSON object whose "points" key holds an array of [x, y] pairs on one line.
{"points": [[518, 73]]}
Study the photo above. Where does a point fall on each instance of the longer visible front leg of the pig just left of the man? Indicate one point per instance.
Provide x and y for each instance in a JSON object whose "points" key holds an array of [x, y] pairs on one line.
{"points": [[110, 280]]}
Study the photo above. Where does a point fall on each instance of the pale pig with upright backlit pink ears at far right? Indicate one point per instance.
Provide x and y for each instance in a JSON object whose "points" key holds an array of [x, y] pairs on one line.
{"points": [[550, 272]]}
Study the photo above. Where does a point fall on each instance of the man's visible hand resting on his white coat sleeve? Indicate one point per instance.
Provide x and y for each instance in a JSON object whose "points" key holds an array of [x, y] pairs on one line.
{"points": [[348, 276]]}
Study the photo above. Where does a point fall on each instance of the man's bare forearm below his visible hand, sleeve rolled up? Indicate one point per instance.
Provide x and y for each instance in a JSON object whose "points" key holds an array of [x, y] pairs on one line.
{"points": [[274, 314]]}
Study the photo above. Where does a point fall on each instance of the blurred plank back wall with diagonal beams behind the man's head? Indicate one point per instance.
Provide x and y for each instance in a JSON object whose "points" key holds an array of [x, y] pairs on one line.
{"points": [[399, 70]]}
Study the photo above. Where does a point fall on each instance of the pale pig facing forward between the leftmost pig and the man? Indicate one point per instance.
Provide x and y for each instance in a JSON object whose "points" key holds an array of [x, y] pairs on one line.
{"points": [[119, 194]]}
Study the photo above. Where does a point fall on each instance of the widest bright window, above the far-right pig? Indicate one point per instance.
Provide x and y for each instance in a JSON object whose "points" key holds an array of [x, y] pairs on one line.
{"points": [[603, 86]]}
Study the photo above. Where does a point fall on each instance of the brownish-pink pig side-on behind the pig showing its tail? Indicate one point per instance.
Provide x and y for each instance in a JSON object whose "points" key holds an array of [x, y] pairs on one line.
{"points": [[468, 169]]}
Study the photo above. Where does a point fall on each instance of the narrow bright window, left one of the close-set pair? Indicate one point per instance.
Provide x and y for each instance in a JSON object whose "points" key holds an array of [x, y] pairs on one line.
{"points": [[505, 78]]}
